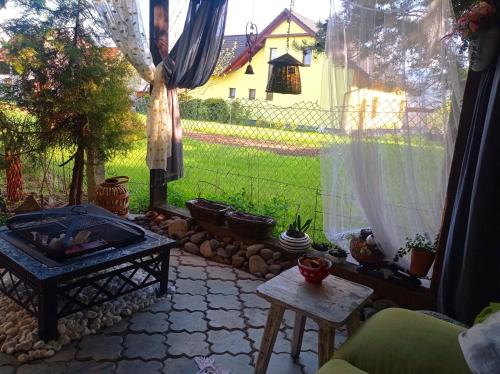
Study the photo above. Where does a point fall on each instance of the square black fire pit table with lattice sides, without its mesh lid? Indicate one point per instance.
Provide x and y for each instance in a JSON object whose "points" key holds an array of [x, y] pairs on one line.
{"points": [[51, 292]]}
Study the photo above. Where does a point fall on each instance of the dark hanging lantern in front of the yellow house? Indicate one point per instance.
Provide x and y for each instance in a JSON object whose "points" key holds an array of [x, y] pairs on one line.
{"points": [[285, 75]]}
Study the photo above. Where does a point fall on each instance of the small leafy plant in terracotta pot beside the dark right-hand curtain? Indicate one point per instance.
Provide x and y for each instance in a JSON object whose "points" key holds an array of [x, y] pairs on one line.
{"points": [[423, 253]]}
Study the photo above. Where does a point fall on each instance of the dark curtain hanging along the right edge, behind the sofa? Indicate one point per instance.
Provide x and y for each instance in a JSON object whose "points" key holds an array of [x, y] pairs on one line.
{"points": [[470, 277]]}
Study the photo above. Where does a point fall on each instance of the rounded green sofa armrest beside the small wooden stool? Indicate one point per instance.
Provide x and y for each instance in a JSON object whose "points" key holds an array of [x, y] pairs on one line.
{"points": [[400, 341]]}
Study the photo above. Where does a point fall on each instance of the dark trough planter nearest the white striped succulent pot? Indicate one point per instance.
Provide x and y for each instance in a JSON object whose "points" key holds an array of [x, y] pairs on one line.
{"points": [[250, 226]]}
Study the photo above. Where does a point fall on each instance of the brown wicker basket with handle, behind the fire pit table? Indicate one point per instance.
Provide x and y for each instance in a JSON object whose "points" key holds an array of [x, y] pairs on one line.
{"points": [[113, 195]]}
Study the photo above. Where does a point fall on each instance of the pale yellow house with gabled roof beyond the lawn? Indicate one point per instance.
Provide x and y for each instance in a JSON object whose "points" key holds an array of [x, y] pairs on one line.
{"points": [[231, 82]]}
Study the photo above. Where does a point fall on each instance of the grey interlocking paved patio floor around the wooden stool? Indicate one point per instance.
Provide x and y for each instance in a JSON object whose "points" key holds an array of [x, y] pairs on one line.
{"points": [[214, 312]]}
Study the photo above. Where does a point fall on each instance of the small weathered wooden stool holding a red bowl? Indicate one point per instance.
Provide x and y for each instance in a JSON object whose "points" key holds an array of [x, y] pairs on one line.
{"points": [[332, 304]]}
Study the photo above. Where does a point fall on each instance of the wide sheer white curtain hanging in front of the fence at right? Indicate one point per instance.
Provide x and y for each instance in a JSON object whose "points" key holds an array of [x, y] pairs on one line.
{"points": [[393, 87]]}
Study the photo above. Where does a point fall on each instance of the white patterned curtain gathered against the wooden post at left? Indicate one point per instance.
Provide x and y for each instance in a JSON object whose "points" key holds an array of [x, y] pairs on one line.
{"points": [[123, 20]]}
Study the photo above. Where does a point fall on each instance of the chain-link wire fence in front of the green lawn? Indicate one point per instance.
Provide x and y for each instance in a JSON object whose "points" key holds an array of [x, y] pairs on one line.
{"points": [[256, 156]]}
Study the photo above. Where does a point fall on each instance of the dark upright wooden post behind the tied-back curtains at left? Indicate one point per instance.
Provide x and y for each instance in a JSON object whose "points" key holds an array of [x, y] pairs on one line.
{"points": [[158, 44]]}
